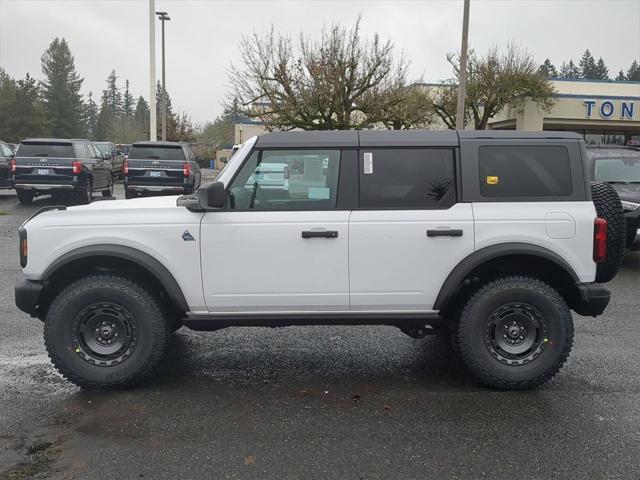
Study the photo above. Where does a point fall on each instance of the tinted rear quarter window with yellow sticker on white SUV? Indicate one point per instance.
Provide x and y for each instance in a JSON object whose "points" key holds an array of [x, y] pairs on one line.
{"points": [[524, 171]]}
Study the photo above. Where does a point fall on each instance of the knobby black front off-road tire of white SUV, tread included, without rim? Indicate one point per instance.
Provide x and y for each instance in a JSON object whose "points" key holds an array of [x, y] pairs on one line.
{"points": [[150, 327]]}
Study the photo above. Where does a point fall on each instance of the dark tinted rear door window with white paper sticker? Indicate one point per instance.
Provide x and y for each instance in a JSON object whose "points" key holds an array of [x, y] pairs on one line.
{"points": [[407, 178]]}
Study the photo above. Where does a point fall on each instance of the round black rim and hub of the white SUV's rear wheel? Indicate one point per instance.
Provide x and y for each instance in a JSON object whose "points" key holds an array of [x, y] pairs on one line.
{"points": [[516, 333]]}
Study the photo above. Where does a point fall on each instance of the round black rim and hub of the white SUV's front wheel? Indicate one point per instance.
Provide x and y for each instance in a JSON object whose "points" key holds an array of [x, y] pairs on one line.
{"points": [[104, 334]]}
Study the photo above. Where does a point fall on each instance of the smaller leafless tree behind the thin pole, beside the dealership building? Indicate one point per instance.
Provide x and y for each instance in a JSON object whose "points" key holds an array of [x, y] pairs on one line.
{"points": [[494, 81]]}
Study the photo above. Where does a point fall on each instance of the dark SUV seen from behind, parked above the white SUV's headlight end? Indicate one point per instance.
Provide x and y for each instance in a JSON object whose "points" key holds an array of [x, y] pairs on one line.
{"points": [[70, 168]]}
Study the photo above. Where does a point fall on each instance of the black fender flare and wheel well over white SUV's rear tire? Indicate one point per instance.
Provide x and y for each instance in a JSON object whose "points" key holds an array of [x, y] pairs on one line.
{"points": [[509, 258]]}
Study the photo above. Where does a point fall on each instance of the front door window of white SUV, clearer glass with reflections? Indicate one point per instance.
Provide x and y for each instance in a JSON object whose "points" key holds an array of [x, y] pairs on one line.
{"points": [[287, 179]]}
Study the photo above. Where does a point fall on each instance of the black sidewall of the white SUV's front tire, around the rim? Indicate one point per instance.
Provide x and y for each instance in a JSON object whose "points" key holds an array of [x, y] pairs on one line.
{"points": [[58, 335]]}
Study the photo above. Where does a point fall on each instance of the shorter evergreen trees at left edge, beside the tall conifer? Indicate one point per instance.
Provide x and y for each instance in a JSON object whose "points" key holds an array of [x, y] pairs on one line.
{"points": [[22, 112]]}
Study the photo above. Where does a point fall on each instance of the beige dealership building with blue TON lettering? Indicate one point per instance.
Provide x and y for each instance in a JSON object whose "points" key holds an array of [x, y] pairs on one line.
{"points": [[603, 111]]}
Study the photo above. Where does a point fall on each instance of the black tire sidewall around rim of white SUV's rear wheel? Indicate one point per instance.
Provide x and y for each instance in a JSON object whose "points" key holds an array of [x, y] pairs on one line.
{"points": [[558, 326]]}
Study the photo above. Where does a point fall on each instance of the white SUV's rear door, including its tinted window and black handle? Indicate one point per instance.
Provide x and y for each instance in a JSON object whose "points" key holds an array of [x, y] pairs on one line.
{"points": [[410, 230]]}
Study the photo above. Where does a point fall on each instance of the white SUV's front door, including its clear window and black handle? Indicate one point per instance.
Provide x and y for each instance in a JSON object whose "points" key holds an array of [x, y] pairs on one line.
{"points": [[280, 245]]}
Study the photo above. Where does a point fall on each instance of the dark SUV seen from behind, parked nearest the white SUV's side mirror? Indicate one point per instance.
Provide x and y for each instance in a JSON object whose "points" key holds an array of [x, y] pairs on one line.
{"points": [[155, 168]]}
